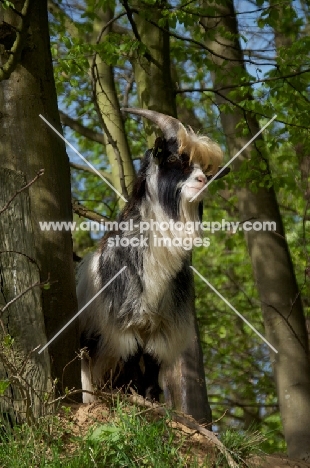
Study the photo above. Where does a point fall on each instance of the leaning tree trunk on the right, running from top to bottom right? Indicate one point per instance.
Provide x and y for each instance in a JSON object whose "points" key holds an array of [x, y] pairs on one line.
{"points": [[272, 266]]}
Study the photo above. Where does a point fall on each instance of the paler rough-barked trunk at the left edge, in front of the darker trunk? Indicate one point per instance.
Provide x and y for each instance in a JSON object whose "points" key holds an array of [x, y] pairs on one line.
{"points": [[18, 271]]}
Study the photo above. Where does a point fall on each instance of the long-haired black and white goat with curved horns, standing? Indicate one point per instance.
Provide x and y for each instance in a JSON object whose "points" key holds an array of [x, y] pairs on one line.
{"points": [[141, 321]]}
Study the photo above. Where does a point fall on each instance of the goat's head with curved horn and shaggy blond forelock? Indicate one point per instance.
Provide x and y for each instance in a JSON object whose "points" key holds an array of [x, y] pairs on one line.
{"points": [[179, 164]]}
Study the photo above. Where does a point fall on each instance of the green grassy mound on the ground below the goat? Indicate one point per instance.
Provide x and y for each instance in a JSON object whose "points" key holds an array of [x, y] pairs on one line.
{"points": [[130, 437]]}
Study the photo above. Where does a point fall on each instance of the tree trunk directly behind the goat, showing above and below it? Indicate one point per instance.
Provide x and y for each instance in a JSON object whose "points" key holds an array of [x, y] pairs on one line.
{"points": [[184, 384]]}
